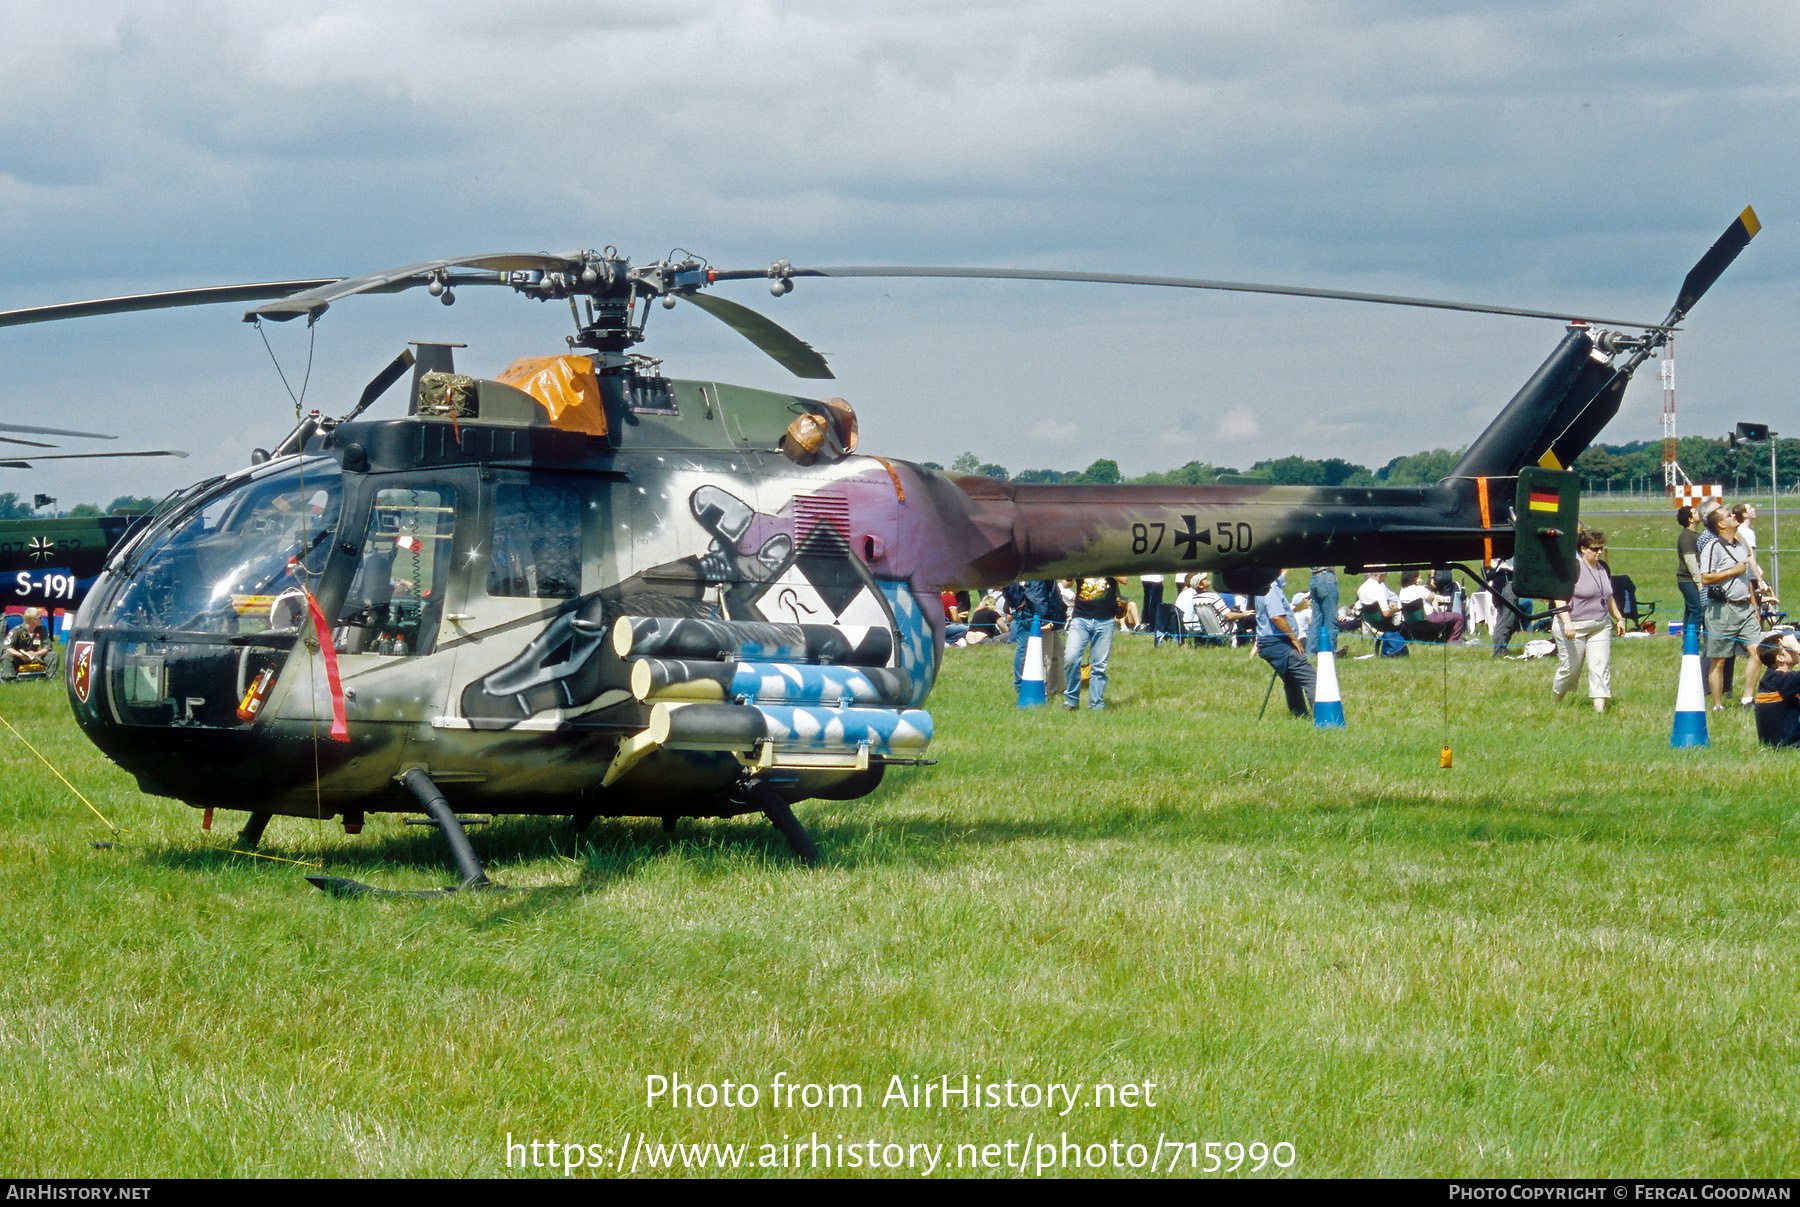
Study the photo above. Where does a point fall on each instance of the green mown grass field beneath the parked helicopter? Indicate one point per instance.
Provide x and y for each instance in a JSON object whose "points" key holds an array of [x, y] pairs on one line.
{"points": [[1570, 954]]}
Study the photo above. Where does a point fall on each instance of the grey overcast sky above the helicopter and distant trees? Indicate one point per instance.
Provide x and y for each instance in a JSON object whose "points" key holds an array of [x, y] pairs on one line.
{"points": [[1554, 156]]}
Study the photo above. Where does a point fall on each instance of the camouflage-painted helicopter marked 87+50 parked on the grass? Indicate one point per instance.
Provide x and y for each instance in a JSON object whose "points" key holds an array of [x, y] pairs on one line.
{"points": [[589, 589]]}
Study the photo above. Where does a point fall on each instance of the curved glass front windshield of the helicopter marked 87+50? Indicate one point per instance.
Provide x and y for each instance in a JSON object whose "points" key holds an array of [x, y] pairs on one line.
{"points": [[235, 562]]}
